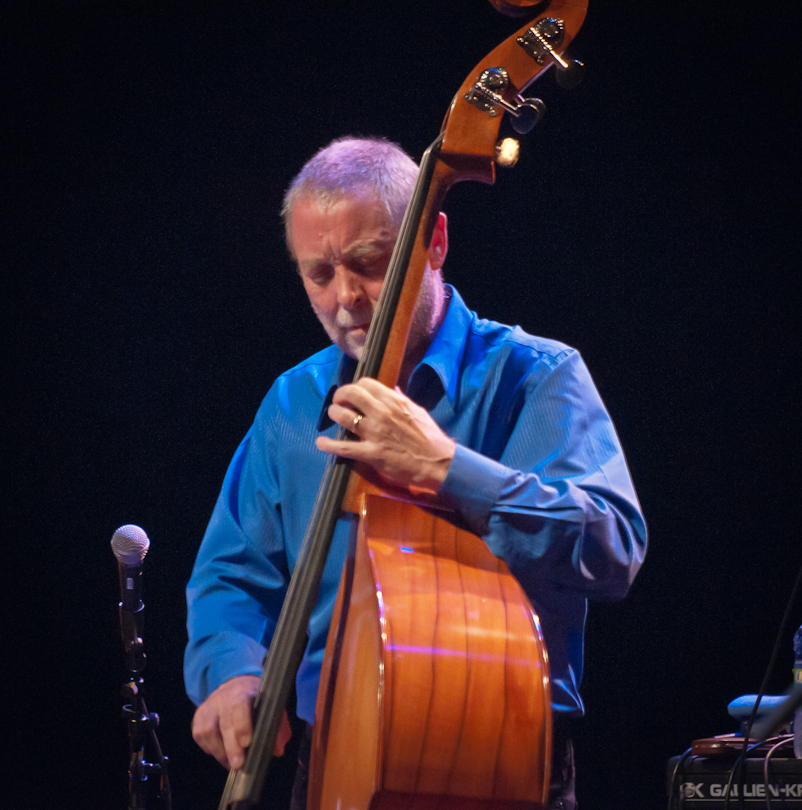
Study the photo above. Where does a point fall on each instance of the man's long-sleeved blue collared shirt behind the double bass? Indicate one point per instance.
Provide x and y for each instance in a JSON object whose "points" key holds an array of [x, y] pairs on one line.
{"points": [[538, 473]]}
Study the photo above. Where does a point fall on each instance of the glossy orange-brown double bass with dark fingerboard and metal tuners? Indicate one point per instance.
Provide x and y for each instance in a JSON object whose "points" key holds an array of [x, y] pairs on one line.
{"points": [[434, 692]]}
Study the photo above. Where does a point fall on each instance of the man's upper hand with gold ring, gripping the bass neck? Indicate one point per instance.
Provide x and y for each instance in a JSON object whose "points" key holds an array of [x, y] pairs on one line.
{"points": [[397, 438]]}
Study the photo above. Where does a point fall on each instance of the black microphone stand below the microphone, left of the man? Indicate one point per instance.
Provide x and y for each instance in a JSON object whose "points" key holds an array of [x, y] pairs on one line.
{"points": [[142, 724]]}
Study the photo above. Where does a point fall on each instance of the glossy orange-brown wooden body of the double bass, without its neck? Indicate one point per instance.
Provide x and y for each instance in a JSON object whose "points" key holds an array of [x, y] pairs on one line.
{"points": [[445, 663]]}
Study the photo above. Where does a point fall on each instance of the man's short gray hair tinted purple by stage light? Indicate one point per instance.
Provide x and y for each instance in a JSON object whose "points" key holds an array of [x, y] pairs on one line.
{"points": [[348, 165]]}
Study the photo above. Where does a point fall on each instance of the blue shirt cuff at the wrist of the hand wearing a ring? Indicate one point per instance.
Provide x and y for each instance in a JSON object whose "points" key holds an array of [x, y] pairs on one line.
{"points": [[472, 487]]}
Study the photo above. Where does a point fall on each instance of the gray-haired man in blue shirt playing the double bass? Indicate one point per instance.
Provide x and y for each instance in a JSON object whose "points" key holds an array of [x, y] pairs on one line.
{"points": [[505, 429]]}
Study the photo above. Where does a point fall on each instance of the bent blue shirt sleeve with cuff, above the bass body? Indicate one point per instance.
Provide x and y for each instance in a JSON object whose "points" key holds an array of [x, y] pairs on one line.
{"points": [[558, 506]]}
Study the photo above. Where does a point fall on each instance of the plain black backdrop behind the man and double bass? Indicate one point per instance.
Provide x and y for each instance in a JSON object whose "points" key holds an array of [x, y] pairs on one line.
{"points": [[149, 302]]}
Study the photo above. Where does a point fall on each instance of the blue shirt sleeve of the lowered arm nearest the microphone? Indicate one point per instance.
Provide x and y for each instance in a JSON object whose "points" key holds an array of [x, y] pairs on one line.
{"points": [[240, 577]]}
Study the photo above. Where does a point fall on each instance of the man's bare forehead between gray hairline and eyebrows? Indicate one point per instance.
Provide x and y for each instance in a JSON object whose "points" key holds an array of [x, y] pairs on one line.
{"points": [[354, 220]]}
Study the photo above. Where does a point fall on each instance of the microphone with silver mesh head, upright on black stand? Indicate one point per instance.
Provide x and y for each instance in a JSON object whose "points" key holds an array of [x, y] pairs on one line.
{"points": [[130, 545]]}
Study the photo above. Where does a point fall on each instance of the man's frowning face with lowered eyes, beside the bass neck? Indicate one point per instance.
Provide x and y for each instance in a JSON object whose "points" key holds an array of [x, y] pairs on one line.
{"points": [[343, 252]]}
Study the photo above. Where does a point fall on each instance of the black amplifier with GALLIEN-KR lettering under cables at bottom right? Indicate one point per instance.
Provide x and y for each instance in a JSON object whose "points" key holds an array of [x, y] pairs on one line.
{"points": [[701, 783]]}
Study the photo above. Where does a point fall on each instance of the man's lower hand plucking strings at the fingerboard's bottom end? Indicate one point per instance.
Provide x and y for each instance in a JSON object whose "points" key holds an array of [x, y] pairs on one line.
{"points": [[222, 725]]}
